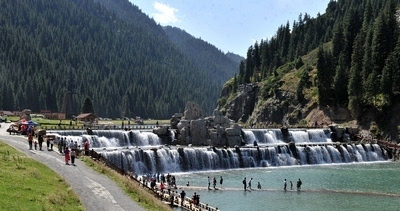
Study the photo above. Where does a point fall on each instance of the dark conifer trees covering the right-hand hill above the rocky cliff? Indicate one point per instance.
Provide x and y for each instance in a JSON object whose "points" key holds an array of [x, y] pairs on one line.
{"points": [[357, 61]]}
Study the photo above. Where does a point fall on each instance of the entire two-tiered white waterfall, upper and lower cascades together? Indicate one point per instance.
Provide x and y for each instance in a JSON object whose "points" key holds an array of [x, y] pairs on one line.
{"points": [[142, 151]]}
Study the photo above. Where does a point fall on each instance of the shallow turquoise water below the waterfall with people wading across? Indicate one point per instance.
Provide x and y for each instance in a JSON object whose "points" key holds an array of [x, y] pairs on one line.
{"points": [[361, 186]]}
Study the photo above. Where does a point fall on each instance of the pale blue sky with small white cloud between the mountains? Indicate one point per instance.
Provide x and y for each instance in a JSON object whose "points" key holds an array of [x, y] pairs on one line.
{"points": [[230, 25]]}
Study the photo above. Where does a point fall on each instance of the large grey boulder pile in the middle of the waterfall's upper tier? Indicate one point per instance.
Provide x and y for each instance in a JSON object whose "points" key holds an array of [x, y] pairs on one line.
{"points": [[216, 130]]}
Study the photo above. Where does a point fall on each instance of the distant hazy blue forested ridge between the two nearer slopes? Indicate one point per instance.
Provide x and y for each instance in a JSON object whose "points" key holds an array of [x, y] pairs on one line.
{"points": [[207, 57]]}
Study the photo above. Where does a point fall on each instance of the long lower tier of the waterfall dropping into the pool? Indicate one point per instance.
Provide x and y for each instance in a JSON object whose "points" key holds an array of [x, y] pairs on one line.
{"points": [[198, 159]]}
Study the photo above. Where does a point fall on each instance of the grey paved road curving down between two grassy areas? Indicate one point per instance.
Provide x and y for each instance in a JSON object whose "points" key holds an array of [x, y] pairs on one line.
{"points": [[97, 192]]}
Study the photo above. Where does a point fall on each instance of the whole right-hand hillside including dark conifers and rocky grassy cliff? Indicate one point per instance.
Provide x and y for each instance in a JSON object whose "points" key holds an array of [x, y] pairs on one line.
{"points": [[346, 58]]}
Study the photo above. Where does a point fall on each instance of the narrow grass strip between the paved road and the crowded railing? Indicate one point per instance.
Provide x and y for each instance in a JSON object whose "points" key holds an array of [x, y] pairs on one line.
{"points": [[137, 193]]}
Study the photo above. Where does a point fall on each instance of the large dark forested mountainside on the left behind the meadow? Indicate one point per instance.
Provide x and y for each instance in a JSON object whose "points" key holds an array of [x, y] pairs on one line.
{"points": [[127, 69]]}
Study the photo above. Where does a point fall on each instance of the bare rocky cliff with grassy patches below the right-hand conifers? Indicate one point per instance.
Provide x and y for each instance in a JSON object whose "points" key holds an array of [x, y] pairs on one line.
{"points": [[276, 103]]}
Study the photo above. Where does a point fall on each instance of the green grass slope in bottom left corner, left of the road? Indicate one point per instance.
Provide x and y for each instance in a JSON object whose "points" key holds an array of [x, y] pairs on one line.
{"points": [[26, 184]]}
